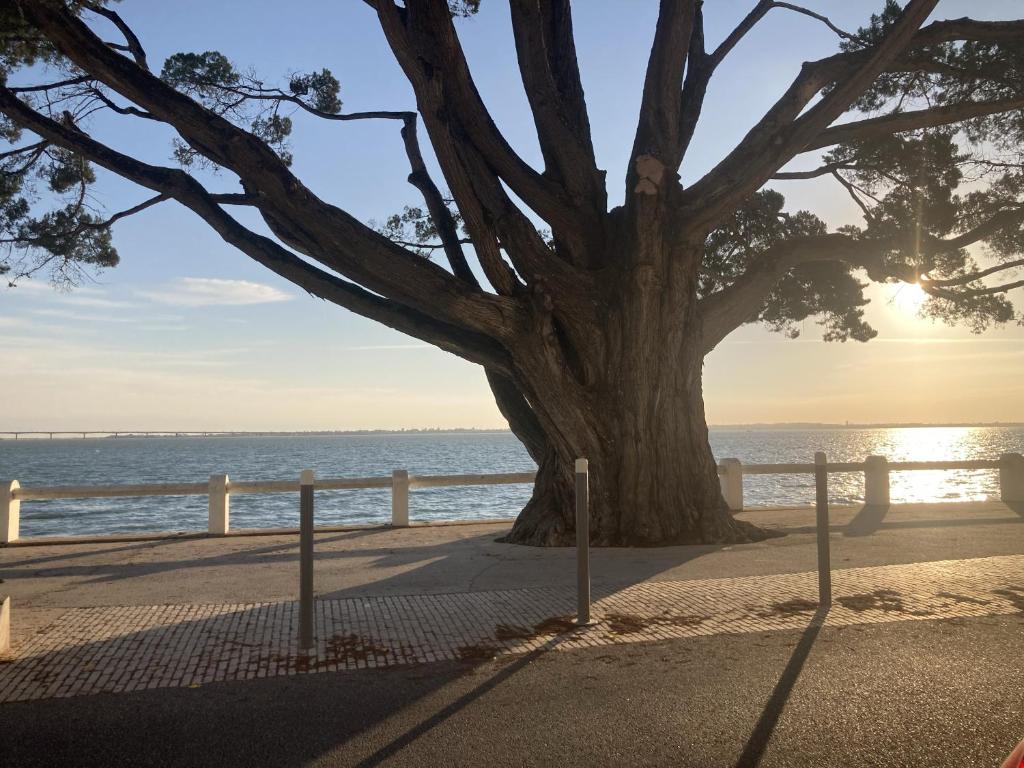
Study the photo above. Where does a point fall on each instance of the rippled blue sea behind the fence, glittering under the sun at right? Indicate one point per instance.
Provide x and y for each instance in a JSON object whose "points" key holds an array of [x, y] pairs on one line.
{"points": [[100, 461]]}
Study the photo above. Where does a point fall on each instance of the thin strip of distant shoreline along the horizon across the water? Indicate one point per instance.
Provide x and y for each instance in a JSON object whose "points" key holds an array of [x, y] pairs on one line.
{"points": [[764, 426]]}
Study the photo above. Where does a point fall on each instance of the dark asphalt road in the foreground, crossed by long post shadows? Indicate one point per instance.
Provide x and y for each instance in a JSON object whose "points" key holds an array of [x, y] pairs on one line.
{"points": [[910, 694]]}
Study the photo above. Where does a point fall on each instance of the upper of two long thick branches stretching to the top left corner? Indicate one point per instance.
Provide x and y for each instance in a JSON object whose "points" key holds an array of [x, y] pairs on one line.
{"points": [[304, 221]]}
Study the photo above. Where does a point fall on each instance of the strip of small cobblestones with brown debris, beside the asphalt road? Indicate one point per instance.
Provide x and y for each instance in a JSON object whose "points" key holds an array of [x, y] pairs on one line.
{"points": [[114, 650]]}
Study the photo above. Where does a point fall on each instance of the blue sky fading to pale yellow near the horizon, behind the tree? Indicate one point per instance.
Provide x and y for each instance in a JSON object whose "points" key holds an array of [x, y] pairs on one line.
{"points": [[189, 334]]}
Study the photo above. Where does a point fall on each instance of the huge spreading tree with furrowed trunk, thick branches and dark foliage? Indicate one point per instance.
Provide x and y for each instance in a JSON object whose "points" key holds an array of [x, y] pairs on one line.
{"points": [[592, 324]]}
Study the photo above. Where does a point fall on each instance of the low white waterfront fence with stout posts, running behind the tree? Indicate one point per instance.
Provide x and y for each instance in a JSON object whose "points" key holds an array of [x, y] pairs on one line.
{"points": [[732, 473]]}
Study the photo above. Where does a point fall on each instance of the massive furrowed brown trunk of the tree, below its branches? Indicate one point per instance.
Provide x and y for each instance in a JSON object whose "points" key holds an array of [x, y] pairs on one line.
{"points": [[628, 398]]}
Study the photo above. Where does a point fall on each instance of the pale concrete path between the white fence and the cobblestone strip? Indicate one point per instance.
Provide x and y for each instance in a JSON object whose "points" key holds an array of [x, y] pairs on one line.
{"points": [[466, 559]]}
